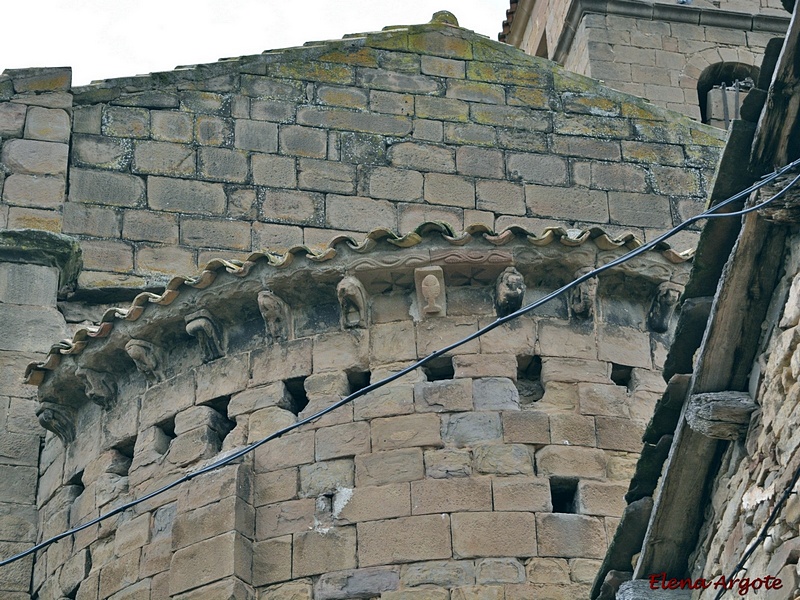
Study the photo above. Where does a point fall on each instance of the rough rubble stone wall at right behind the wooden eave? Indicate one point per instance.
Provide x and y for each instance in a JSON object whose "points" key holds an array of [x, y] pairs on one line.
{"points": [[756, 471]]}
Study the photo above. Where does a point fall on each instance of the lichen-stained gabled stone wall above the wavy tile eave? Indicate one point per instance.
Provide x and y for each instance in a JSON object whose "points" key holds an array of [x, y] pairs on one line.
{"points": [[158, 174]]}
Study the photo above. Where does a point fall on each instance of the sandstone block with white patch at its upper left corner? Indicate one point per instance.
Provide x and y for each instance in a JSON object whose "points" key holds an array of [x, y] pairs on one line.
{"points": [[372, 503]]}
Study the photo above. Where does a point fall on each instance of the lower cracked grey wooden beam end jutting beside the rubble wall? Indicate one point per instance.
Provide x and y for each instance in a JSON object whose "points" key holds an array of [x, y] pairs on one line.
{"points": [[720, 415]]}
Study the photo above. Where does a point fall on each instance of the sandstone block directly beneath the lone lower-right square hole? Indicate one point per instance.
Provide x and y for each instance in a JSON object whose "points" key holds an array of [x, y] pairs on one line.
{"points": [[571, 536]]}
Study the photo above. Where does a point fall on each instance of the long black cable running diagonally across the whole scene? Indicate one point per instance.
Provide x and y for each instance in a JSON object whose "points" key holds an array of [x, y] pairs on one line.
{"points": [[708, 214]]}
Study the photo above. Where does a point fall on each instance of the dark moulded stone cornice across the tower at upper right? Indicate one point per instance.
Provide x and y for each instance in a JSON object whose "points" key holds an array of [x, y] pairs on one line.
{"points": [[675, 13]]}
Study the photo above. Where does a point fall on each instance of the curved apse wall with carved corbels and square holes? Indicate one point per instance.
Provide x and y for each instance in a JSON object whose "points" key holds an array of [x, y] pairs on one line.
{"points": [[496, 472]]}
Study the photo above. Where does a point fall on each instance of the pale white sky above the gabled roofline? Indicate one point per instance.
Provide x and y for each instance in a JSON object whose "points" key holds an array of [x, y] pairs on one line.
{"points": [[101, 39]]}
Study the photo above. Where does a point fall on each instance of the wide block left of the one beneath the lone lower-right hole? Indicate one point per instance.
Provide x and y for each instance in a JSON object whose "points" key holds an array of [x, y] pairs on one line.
{"points": [[494, 534]]}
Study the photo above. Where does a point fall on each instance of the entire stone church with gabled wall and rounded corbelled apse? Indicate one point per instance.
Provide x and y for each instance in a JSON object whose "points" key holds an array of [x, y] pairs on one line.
{"points": [[350, 206]]}
